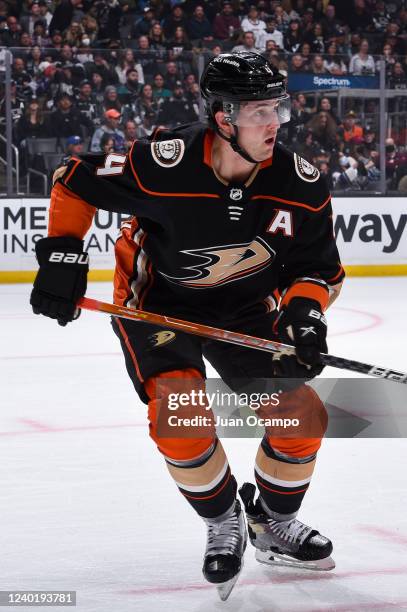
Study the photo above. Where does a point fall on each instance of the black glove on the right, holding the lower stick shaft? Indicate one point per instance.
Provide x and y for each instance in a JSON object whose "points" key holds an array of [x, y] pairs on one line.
{"points": [[301, 323]]}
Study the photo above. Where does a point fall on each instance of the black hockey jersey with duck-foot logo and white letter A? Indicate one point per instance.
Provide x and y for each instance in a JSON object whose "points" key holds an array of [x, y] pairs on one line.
{"points": [[196, 247]]}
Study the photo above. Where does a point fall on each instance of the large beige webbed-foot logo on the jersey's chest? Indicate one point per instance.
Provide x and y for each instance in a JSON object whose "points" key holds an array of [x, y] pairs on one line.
{"points": [[225, 264]]}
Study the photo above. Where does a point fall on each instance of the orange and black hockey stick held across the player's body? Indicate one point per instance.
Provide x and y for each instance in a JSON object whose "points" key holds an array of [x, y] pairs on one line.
{"points": [[215, 333]]}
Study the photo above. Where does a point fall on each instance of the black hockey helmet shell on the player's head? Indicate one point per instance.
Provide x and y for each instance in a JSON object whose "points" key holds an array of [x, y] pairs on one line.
{"points": [[241, 77]]}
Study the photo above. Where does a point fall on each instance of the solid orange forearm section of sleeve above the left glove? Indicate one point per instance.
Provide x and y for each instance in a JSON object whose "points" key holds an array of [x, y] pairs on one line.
{"points": [[69, 215]]}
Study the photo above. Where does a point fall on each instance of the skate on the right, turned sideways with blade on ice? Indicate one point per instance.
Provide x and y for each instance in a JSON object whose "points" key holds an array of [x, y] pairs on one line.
{"points": [[289, 543]]}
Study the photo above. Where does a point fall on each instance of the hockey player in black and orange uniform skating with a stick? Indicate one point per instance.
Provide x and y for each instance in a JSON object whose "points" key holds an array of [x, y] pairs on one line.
{"points": [[226, 228]]}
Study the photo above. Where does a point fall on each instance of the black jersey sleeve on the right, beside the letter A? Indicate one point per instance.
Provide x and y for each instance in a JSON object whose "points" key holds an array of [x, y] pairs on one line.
{"points": [[313, 253]]}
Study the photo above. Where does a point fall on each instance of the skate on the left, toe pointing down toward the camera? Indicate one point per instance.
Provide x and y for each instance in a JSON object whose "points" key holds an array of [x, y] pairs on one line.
{"points": [[227, 539]]}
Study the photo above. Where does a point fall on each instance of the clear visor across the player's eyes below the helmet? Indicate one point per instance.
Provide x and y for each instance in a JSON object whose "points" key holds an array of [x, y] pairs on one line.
{"points": [[258, 112]]}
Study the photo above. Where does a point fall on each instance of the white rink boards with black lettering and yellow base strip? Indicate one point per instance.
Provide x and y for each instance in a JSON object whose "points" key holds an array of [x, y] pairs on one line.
{"points": [[371, 235]]}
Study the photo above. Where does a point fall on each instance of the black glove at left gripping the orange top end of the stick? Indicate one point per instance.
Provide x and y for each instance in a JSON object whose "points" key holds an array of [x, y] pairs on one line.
{"points": [[61, 279]]}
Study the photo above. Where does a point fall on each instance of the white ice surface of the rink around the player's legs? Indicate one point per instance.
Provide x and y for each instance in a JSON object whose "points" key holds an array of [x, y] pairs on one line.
{"points": [[86, 503]]}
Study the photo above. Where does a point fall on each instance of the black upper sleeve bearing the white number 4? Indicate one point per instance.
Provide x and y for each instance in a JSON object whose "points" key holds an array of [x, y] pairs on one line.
{"points": [[106, 182]]}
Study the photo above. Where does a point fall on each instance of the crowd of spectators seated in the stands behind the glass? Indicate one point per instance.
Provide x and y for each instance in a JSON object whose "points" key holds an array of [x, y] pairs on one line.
{"points": [[99, 74]]}
